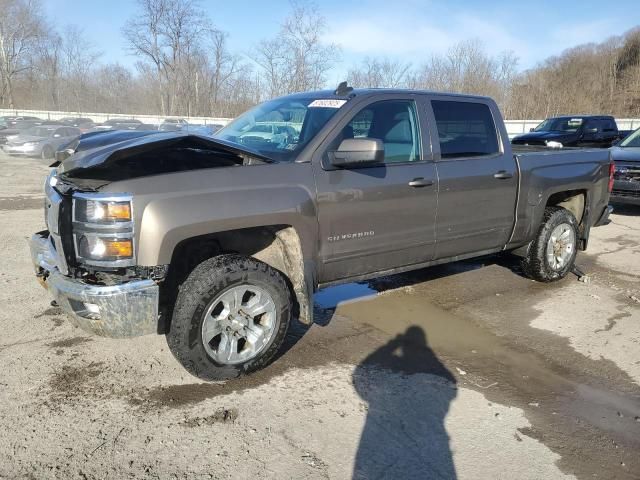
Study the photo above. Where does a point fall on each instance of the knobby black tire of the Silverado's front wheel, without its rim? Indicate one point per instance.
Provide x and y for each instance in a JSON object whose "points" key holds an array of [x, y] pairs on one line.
{"points": [[203, 284]]}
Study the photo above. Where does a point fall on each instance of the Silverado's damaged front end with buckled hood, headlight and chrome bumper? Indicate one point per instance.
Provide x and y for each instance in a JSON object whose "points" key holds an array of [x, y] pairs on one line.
{"points": [[87, 256]]}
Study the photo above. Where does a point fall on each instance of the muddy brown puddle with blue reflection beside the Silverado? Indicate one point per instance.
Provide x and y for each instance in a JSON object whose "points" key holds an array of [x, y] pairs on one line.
{"points": [[507, 370]]}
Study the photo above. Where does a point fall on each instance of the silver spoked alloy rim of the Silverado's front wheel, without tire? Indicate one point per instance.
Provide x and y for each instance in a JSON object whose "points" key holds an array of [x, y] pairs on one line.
{"points": [[239, 324]]}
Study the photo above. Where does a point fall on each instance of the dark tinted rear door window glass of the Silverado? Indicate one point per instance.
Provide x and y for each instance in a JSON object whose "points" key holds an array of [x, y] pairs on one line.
{"points": [[465, 129]]}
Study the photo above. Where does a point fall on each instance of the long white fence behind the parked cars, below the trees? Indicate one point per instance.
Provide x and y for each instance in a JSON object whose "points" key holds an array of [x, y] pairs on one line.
{"points": [[514, 127]]}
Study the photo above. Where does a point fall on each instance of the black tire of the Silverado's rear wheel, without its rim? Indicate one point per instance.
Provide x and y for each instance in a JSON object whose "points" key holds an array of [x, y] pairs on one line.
{"points": [[535, 264]]}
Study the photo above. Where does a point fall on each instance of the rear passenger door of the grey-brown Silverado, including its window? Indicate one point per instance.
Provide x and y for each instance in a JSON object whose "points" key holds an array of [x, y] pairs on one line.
{"points": [[477, 177]]}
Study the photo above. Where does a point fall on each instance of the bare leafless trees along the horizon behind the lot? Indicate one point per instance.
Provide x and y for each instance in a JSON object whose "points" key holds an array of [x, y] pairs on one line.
{"points": [[185, 67]]}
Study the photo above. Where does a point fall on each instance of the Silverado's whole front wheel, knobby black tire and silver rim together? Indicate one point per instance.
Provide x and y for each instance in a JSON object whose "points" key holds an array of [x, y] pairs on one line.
{"points": [[231, 317]]}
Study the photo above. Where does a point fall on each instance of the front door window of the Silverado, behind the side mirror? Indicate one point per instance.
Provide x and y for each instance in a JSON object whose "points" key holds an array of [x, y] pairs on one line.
{"points": [[395, 122]]}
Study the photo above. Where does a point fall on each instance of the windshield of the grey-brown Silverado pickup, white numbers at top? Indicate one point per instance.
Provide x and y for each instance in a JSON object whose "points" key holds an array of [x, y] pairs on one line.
{"points": [[280, 129]]}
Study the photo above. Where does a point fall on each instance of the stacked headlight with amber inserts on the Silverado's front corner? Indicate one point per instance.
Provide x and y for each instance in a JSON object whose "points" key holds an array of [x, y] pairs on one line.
{"points": [[103, 229]]}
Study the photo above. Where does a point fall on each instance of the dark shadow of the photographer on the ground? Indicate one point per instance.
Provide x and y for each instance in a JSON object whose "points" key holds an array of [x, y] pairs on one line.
{"points": [[408, 392]]}
